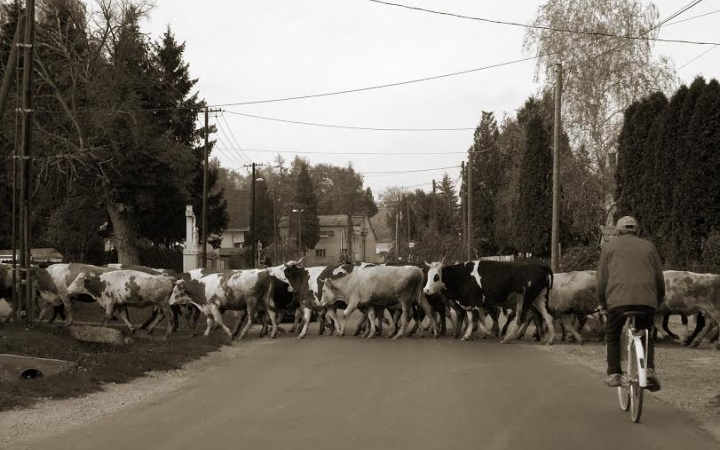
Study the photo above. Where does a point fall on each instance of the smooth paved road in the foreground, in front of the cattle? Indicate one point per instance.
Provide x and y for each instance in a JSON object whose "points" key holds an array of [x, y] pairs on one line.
{"points": [[350, 393]]}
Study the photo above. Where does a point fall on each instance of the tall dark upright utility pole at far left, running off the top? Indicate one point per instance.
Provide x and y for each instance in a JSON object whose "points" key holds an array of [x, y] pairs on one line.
{"points": [[25, 154]]}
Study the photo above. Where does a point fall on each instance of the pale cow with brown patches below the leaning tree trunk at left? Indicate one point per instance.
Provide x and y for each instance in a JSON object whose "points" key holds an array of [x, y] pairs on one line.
{"points": [[126, 288]]}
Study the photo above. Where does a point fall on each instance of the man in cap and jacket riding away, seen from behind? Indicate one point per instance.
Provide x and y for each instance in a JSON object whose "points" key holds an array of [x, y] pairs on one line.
{"points": [[629, 278]]}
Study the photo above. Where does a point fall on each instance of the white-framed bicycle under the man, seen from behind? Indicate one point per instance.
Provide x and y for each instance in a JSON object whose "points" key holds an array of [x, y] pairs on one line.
{"points": [[634, 377]]}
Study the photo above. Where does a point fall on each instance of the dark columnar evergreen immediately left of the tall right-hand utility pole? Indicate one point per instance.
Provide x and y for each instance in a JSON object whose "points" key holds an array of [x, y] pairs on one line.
{"points": [[535, 215]]}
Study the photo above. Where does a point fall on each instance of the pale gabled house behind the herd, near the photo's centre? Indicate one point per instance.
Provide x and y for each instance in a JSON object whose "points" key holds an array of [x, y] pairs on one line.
{"points": [[333, 243]]}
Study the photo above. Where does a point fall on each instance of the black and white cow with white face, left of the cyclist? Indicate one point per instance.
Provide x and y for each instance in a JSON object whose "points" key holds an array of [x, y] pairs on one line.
{"points": [[476, 284]]}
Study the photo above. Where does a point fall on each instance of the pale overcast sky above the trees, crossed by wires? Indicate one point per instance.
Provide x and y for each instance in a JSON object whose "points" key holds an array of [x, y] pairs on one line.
{"points": [[244, 50]]}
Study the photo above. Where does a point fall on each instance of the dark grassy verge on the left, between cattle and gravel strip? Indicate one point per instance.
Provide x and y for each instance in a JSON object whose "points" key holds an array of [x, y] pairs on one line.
{"points": [[96, 363]]}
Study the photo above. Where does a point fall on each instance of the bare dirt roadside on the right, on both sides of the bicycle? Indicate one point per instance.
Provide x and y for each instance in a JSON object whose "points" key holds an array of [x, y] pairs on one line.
{"points": [[690, 377]]}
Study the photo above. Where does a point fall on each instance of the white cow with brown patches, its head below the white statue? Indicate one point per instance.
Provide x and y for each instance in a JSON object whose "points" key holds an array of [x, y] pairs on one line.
{"points": [[237, 290]]}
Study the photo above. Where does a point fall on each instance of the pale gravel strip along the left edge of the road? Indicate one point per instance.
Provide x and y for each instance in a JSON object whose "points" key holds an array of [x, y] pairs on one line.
{"points": [[52, 417]]}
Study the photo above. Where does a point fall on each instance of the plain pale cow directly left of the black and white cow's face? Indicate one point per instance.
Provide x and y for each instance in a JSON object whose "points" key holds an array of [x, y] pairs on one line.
{"points": [[381, 286]]}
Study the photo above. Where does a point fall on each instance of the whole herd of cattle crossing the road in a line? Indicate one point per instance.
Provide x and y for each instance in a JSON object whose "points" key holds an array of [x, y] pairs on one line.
{"points": [[387, 295]]}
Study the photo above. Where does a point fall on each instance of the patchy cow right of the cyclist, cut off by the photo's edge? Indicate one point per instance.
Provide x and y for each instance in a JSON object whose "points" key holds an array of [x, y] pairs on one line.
{"points": [[689, 293]]}
